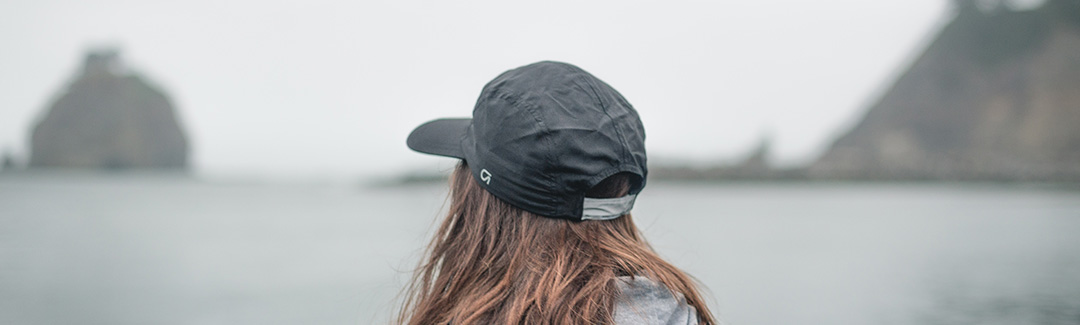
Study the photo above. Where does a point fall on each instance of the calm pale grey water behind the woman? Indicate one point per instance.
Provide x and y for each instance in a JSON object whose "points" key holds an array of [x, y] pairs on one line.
{"points": [[136, 250]]}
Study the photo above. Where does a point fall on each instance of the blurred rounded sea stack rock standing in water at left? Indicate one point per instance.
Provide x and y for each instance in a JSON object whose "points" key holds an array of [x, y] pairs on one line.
{"points": [[110, 119]]}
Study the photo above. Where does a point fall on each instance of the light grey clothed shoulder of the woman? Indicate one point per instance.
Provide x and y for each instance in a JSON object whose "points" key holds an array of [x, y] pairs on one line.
{"points": [[643, 301]]}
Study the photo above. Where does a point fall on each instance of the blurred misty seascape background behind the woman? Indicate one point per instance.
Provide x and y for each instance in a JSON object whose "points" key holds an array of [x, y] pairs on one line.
{"points": [[245, 162]]}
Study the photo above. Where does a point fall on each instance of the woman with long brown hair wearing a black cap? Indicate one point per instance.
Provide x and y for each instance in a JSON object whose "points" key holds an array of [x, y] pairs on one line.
{"points": [[539, 229]]}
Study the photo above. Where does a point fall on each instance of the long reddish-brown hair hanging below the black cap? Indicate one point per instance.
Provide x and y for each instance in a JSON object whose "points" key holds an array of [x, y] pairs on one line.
{"points": [[491, 263]]}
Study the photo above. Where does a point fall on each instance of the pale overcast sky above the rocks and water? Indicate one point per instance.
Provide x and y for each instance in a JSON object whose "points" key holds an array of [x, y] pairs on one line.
{"points": [[333, 88]]}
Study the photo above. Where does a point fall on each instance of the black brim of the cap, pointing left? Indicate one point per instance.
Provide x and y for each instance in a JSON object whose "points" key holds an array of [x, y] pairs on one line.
{"points": [[441, 138]]}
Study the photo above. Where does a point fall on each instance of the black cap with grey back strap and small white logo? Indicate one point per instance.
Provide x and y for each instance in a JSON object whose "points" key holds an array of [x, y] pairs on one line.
{"points": [[541, 137]]}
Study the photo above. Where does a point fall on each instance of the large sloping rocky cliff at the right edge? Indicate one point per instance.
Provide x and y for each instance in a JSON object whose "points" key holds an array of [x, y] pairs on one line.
{"points": [[996, 96]]}
